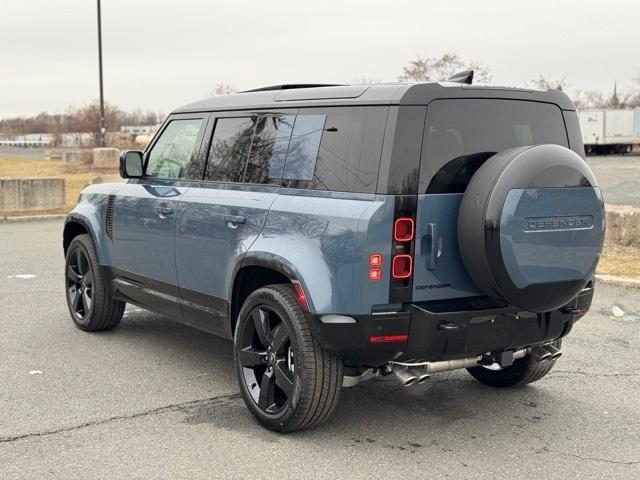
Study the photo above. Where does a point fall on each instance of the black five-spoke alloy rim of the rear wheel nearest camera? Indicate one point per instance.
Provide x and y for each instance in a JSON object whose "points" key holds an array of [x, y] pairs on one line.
{"points": [[266, 358]]}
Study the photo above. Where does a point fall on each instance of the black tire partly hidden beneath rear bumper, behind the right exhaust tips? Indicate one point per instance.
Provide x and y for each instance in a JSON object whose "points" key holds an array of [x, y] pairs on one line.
{"points": [[523, 371]]}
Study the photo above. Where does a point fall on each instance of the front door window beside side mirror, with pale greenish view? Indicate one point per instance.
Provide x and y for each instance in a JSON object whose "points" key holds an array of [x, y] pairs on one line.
{"points": [[172, 154]]}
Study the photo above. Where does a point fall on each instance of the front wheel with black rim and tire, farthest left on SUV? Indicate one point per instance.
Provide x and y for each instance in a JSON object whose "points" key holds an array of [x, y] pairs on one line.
{"points": [[91, 306]]}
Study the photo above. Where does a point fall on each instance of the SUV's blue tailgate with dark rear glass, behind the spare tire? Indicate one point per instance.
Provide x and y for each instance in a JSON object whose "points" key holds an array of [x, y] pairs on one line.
{"points": [[460, 134]]}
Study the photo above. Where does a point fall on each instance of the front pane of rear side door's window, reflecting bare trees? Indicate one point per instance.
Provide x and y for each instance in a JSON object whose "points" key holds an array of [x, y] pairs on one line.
{"points": [[229, 149]]}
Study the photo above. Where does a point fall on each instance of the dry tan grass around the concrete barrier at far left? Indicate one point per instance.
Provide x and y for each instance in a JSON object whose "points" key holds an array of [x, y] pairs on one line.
{"points": [[76, 177]]}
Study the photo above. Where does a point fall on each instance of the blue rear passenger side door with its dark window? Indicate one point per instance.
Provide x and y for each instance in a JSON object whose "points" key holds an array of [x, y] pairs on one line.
{"points": [[221, 216]]}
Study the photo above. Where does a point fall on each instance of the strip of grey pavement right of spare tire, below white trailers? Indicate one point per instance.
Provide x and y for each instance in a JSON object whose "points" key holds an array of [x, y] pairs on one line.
{"points": [[619, 178]]}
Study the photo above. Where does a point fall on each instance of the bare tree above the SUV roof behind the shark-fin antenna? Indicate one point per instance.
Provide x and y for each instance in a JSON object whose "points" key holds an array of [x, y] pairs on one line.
{"points": [[439, 69]]}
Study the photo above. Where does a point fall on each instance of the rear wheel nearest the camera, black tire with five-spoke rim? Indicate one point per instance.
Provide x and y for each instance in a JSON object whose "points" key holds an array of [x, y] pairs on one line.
{"points": [[286, 380]]}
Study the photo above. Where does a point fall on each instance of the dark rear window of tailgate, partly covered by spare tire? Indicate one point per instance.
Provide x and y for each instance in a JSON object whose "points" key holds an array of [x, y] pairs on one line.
{"points": [[461, 134]]}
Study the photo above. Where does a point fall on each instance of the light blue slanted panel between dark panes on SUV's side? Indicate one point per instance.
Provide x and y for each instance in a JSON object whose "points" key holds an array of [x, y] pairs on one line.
{"points": [[303, 147]]}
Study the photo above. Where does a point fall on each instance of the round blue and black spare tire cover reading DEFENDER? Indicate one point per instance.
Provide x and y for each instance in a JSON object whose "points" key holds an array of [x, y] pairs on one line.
{"points": [[531, 226]]}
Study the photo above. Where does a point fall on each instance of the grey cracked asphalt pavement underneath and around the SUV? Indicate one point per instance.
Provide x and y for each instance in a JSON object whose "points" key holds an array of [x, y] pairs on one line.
{"points": [[154, 399]]}
